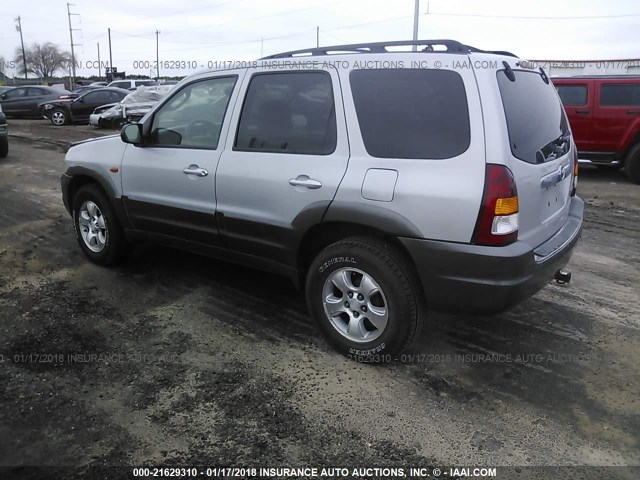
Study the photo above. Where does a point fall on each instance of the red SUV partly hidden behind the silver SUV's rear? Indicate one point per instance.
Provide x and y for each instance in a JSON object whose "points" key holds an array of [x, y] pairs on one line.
{"points": [[604, 113]]}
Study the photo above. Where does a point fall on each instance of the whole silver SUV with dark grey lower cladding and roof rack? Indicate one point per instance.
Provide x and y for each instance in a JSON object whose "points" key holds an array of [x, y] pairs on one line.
{"points": [[381, 182]]}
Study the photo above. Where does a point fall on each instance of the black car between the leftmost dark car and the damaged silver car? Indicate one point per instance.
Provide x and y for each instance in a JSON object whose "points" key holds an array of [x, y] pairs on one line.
{"points": [[77, 110]]}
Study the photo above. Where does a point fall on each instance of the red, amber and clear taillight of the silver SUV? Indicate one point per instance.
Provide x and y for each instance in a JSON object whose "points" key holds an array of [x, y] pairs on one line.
{"points": [[497, 223]]}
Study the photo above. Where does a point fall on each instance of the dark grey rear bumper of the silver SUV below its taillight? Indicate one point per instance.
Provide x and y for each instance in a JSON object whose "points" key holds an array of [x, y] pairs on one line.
{"points": [[477, 279]]}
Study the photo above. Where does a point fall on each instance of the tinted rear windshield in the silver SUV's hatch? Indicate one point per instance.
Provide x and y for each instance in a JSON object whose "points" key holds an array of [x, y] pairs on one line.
{"points": [[538, 127]]}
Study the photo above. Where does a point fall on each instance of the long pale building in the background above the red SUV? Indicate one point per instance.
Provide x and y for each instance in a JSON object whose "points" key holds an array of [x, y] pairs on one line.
{"points": [[564, 68]]}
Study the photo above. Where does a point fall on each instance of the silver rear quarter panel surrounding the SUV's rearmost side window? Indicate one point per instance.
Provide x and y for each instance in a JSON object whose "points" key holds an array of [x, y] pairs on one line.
{"points": [[440, 198]]}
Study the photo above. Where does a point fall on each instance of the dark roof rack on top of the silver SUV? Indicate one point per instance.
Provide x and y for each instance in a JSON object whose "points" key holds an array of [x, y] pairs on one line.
{"points": [[381, 47]]}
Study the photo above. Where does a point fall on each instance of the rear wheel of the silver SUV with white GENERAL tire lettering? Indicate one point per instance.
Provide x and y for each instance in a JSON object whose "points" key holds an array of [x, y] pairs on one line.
{"points": [[338, 272]]}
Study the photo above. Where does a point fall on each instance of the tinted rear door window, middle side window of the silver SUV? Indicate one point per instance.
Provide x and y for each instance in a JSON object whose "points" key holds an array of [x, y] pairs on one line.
{"points": [[288, 113]]}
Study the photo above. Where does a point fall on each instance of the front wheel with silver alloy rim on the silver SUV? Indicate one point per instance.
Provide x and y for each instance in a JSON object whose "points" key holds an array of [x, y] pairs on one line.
{"points": [[97, 230]]}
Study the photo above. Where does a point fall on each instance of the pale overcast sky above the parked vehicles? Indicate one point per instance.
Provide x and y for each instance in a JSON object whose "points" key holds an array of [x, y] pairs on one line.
{"points": [[202, 33]]}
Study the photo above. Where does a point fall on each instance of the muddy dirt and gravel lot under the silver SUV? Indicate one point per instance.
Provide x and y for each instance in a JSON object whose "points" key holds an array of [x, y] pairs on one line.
{"points": [[175, 359]]}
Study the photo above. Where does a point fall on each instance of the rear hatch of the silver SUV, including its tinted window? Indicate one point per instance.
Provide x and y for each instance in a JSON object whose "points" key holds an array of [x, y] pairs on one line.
{"points": [[542, 152]]}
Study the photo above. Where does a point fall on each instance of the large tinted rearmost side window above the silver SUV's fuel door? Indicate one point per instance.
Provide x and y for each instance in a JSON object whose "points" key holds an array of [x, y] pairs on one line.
{"points": [[411, 113]]}
